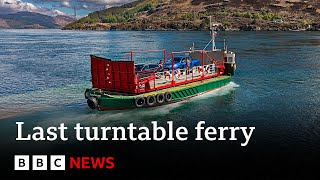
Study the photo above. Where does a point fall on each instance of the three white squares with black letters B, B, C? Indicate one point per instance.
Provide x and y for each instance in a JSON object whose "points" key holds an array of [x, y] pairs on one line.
{"points": [[39, 162]]}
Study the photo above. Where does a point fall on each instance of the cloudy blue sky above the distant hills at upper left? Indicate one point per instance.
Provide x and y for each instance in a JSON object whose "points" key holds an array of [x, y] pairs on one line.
{"points": [[58, 7]]}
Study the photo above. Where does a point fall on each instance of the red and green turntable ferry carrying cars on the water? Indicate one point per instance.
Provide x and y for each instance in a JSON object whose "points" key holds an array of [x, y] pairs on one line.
{"points": [[122, 84]]}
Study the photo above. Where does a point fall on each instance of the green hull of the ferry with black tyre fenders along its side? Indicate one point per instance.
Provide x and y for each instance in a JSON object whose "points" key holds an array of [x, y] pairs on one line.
{"points": [[102, 101]]}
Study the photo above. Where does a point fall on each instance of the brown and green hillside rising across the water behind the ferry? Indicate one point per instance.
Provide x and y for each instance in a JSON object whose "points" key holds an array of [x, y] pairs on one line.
{"points": [[193, 15]]}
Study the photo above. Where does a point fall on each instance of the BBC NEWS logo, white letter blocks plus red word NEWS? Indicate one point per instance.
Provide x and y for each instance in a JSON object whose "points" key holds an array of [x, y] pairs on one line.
{"points": [[58, 162]]}
